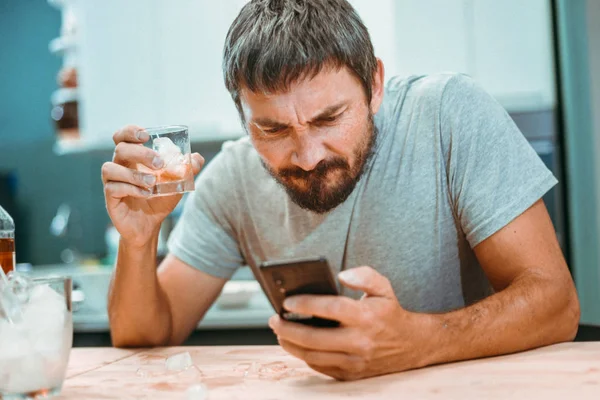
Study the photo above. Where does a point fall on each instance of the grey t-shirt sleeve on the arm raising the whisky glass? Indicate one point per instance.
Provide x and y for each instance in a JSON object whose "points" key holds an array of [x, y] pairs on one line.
{"points": [[204, 237]]}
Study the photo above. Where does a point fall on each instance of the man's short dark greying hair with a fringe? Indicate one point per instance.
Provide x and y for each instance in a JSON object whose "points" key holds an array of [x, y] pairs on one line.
{"points": [[274, 43]]}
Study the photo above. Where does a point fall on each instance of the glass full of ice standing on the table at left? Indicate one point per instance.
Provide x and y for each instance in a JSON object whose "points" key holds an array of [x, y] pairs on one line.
{"points": [[35, 348]]}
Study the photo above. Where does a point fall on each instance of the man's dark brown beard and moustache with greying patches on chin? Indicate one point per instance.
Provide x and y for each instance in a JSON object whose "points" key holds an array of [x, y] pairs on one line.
{"points": [[313, 191]]}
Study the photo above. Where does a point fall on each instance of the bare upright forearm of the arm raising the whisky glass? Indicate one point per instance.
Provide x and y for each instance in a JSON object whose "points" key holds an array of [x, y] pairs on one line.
{"points": [[138, 309]]}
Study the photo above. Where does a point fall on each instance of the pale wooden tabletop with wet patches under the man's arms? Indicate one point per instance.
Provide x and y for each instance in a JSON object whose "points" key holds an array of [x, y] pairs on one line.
{"points": [[565, 371]]}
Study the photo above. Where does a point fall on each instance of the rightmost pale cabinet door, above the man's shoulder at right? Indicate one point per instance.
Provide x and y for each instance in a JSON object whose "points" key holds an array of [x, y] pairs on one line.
{"points": [[513, 52]]}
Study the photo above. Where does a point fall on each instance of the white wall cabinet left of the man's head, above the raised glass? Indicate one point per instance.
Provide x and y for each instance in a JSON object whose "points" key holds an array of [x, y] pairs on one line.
{"points": [[154, 63]]}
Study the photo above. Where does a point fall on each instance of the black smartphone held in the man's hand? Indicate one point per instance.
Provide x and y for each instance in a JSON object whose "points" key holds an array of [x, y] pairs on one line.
{"points": [[301, 276]]}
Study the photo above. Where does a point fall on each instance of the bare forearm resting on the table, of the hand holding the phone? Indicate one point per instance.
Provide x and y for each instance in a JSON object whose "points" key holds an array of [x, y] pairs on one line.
{"points": [[532, 312]]}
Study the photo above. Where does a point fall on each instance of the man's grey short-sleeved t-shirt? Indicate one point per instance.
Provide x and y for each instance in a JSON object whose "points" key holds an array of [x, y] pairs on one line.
{"points": [[450, 169]]}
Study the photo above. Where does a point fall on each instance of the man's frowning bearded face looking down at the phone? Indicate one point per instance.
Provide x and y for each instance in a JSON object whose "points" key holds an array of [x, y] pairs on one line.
{"points": [[315, 138]]}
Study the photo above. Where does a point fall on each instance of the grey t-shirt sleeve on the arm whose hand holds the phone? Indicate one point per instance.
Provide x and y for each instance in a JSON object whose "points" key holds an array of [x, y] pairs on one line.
{"points": [[494, 175]]}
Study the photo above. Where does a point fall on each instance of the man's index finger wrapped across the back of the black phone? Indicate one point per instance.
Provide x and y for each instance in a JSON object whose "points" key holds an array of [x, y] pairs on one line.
{"points": [[339, 308]]}
